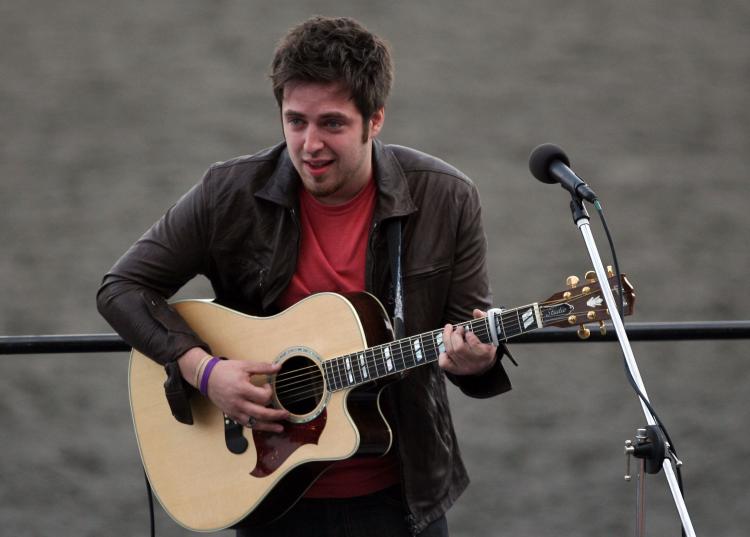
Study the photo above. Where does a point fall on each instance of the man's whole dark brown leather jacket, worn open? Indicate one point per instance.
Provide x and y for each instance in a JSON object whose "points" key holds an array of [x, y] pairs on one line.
{"points": [[239, 227]]}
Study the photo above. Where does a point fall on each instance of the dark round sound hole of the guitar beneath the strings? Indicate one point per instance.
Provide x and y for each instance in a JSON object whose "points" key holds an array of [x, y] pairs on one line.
{"points": [[299, 385]]}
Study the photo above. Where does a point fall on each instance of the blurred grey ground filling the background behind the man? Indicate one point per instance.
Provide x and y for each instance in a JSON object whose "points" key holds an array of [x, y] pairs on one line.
{"points": [[111, 110]]}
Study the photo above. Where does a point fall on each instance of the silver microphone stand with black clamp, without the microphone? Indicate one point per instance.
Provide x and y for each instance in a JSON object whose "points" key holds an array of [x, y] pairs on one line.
{"points": [[652, 432]]}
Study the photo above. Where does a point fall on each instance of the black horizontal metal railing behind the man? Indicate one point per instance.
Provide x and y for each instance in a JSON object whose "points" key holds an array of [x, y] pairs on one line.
{"points": [[655, 331]]}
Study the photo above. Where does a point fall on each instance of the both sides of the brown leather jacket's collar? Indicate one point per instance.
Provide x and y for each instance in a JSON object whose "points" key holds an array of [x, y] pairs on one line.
{"points": [[394, 198]]}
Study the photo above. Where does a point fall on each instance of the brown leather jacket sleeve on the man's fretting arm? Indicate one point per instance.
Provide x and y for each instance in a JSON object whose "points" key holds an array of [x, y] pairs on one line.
{"points": [[470, 289]]}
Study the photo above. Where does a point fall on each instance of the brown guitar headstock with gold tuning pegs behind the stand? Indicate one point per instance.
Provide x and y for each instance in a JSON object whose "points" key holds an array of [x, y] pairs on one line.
{"points": [[584, 303]]}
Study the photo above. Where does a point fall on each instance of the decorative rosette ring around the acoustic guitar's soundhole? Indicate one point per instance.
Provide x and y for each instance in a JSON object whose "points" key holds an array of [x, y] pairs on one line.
{"points": [[300, 385]]}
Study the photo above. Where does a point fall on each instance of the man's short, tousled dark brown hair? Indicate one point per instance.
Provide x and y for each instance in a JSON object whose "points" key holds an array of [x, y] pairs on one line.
{"points": [[340, 50]]}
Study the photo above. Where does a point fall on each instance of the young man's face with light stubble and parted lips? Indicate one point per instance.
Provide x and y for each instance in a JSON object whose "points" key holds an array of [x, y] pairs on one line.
{"points": [[324, 133]]}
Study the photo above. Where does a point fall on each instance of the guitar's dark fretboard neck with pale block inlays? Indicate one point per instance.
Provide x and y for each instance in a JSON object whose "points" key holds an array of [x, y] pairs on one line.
{"points": [[374, 363]]}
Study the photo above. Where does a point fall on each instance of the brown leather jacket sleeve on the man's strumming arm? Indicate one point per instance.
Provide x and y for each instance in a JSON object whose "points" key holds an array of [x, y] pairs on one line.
{"points": [[133, 294]]}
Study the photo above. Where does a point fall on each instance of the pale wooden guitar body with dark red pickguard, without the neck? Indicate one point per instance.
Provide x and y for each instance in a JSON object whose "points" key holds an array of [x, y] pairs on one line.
{"points": [[206, 486]]}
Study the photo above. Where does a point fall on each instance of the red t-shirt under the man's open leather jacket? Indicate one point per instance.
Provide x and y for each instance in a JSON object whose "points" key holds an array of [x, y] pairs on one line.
{"points": [[333, 248]]}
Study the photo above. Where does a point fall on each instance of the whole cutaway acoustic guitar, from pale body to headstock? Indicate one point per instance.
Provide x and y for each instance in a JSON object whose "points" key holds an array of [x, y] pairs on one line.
{"points": [[337, 354]]}
